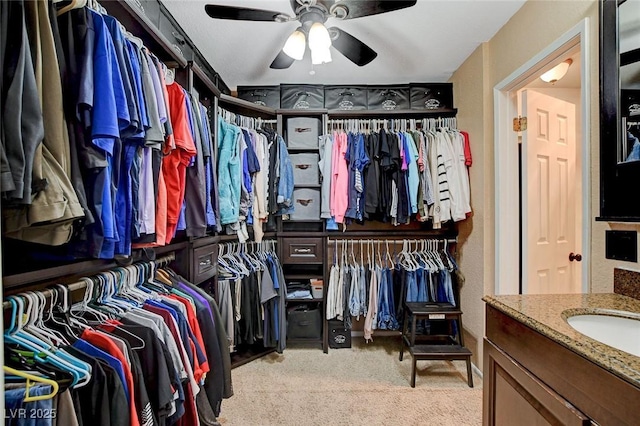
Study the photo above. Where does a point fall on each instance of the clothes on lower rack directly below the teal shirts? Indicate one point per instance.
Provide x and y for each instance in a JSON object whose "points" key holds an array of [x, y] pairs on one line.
{"points": [[252, 294]]}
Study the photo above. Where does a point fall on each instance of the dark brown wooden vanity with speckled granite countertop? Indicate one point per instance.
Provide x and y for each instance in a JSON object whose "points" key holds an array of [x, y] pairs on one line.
{"points": [[540, 370]]}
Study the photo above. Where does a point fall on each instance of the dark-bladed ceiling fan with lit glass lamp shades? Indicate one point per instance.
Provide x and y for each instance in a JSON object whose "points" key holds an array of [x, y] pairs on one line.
{"points": [[312, 15]]}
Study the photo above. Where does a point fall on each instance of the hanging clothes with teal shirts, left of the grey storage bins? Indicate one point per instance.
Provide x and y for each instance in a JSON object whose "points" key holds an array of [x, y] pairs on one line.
{"points": [[255, 175]]}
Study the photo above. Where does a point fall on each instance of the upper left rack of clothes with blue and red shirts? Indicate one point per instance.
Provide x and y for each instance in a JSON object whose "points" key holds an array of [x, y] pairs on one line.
{"points": [[120, 169]]}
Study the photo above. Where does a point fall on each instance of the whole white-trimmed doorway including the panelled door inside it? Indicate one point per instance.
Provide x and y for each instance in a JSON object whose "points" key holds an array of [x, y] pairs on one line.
{"points": [[542, 179]]}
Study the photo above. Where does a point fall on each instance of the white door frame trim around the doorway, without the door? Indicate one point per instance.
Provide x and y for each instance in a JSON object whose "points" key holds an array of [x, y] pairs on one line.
{"points": [[506, 163]]}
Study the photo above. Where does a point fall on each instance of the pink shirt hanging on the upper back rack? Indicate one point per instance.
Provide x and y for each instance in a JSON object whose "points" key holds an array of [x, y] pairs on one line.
{"points": [[340, 177]]}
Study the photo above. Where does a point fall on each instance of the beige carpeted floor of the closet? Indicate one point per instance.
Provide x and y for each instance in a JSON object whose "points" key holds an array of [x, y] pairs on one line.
{"points": [[364, 385]]}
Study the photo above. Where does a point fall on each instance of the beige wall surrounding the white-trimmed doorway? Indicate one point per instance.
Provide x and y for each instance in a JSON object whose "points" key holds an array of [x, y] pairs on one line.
{"points": [[534, 27]]}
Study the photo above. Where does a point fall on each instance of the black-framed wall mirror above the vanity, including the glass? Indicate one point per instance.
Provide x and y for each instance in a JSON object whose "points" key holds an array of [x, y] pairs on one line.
{"points": [[619, 110]]}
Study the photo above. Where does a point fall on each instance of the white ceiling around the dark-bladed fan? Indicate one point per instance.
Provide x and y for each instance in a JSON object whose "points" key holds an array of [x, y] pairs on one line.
{"points": [[423, 43]]}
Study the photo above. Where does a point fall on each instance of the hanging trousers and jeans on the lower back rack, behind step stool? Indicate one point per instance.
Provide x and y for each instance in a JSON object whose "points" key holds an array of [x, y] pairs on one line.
{"points": [[370, 280]]}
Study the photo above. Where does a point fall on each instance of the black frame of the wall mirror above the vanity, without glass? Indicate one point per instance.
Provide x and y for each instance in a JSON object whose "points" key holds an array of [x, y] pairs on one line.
{"points": [[618, 201]]}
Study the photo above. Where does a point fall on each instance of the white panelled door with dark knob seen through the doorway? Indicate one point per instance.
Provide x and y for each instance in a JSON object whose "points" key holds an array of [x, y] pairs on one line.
{"points": [[551, 196]]}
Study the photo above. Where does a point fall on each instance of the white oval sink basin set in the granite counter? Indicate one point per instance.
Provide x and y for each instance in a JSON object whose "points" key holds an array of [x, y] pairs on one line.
{"points": [[611, 329]]}
